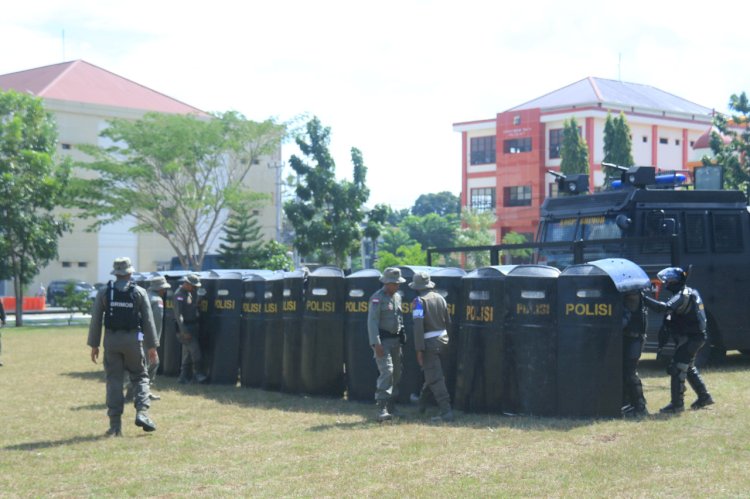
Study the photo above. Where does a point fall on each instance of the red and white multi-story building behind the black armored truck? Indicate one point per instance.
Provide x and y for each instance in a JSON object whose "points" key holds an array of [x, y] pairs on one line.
{"points": [[505, 160]]}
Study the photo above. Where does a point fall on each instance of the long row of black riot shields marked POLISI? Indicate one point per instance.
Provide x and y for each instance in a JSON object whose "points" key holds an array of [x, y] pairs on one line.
{"points": [[525, 339]]}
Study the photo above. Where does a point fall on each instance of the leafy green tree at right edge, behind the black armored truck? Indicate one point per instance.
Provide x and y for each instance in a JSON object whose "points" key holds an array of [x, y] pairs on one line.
{"points": [[733, 156]]}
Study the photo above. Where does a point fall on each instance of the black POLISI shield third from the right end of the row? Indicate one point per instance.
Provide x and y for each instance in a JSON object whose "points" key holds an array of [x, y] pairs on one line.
{"points": [[479, 383]]}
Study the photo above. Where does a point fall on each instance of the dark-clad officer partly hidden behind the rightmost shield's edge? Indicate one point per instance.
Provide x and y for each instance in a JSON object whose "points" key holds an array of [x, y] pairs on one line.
{"points": [[634, 334]]}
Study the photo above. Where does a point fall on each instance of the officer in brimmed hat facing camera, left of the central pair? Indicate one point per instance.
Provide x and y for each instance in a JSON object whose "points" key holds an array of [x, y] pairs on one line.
{"points": [[385, 328]]}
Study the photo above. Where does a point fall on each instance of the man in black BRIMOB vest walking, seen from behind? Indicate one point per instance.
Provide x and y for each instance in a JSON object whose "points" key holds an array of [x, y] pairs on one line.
{"points": [[123, 309]]}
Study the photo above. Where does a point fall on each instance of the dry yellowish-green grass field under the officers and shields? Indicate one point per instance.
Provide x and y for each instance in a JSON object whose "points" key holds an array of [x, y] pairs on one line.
{"points": [[224, 441]]}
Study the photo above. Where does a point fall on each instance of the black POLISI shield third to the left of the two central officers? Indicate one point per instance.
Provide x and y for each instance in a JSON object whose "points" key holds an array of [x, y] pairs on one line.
{"points": [[292, 311]]}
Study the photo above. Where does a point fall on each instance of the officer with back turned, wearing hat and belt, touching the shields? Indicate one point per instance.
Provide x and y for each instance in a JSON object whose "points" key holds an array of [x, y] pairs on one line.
{"points": [[431, 321]]}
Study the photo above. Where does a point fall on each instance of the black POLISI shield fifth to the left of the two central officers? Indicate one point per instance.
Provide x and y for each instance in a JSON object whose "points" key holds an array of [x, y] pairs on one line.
{"points": [[253, 335]]}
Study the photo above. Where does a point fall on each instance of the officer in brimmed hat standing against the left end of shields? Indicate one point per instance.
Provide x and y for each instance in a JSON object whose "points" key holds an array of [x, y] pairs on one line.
{"points": [[187, 314]]}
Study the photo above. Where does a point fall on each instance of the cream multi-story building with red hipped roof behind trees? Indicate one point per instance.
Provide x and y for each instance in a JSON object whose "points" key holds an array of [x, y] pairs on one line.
{"points": [[83, 98]]}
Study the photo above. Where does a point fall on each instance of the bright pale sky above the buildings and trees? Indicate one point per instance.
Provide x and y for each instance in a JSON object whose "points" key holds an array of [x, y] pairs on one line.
{"points": [[390, 77]]}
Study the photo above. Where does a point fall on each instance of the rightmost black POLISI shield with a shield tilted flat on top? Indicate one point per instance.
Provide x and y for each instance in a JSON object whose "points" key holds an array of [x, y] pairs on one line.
{"points": [[589, 358]]}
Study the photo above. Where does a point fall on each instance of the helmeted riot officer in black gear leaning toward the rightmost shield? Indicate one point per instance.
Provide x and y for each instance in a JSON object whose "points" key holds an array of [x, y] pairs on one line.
{"points": [[685, 320]]}
